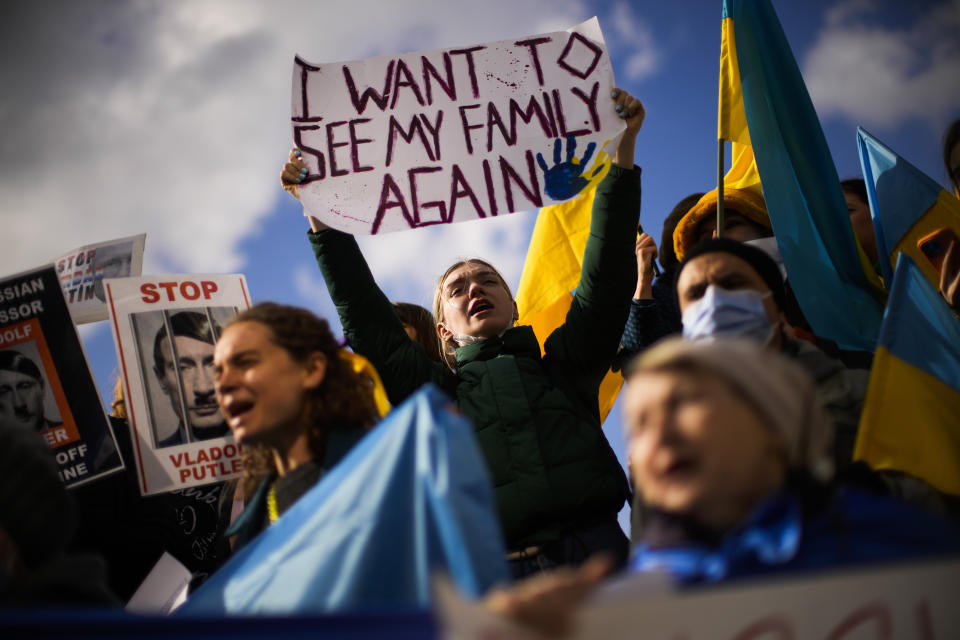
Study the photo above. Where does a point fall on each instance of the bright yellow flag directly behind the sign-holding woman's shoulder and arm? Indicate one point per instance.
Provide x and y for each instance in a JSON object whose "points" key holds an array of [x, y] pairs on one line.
{"points": [[551, 272]]}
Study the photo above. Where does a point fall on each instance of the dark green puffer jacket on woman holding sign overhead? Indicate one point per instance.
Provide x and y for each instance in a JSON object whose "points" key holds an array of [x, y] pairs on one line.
{"points": [[537, 419]]}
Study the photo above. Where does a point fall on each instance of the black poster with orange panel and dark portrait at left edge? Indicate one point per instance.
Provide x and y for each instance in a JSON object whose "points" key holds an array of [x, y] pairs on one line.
{"points": [[45, 380]]}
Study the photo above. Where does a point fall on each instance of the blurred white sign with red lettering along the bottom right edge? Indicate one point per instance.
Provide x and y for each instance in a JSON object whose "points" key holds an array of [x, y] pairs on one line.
{"points": [[906, 601]]}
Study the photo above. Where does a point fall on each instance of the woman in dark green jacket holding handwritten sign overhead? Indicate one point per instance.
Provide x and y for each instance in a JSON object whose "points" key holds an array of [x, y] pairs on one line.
{"points": [[558, 484]]}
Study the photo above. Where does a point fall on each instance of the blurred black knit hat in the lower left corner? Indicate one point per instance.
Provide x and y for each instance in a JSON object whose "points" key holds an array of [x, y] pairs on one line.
{"points": [[35, 509]]}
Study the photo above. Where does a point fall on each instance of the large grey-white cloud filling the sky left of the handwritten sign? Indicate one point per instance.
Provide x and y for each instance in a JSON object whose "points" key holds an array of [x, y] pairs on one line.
{"points": [[173, 117]]}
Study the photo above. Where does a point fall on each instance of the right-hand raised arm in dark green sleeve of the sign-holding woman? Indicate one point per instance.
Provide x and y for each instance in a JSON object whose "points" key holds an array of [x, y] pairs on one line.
{"points": [[589, 337]]}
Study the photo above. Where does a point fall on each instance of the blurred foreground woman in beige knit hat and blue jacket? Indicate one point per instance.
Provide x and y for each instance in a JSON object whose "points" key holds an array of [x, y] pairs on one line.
{"points": [[729, 451]]}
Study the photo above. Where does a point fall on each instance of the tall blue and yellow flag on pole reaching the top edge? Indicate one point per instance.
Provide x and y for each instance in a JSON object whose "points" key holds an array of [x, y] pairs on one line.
{"points": [[764, 104]]}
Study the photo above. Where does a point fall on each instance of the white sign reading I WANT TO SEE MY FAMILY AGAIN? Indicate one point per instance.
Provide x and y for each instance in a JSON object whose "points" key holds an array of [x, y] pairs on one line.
{"points": [[443, 136]]}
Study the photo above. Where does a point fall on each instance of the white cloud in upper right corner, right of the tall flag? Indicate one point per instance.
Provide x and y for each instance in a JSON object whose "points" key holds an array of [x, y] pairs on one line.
{"points": [[880, 76]]}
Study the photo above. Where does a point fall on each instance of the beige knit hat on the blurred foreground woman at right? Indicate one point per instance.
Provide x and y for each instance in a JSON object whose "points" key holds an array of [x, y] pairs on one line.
{"points": [[781, 393]]}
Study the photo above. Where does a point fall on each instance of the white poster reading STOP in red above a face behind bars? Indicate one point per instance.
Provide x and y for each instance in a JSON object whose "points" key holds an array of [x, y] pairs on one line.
{"points": [[164, 329]]}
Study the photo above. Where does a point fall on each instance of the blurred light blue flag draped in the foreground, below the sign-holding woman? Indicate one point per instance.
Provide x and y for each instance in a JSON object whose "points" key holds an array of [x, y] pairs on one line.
{"points": [[413, 497]]}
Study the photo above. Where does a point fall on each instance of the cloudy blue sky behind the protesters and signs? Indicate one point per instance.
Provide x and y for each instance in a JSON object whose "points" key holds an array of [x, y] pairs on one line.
{"points": [[172, 118]]}
